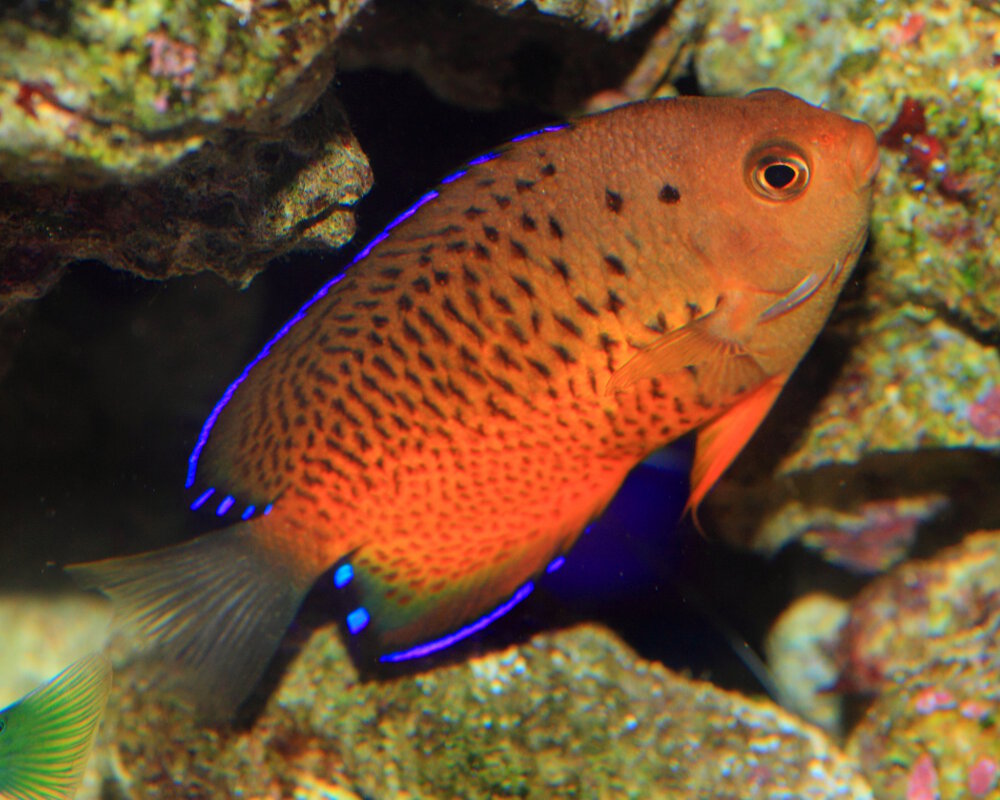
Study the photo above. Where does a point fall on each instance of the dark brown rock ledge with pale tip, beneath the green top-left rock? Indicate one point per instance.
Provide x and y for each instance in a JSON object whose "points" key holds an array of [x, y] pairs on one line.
{"points": [[228, 207]]}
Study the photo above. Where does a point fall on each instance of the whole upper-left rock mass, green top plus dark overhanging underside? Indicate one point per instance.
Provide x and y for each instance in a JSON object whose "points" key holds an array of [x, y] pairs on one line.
{"points": [[170, 138]]}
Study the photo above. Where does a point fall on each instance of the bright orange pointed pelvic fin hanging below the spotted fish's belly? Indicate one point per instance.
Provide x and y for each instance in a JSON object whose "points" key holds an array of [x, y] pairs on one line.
{"points": [[721, 440]]}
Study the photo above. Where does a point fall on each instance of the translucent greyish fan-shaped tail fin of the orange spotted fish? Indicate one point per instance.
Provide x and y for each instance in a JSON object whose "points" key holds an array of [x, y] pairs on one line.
{"points": [[208, 613]]}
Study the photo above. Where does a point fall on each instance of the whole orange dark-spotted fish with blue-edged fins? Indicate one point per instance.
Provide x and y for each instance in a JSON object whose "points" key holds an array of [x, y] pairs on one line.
{"points": [[434, 428]]}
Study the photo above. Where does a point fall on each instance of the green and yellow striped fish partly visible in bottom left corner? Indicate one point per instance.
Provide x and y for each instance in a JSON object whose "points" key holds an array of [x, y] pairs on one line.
{"points": [[47, 735]]}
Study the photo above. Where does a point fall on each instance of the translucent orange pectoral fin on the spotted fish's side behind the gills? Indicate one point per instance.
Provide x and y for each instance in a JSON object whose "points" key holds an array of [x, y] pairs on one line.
{"points": [[725, 366]]}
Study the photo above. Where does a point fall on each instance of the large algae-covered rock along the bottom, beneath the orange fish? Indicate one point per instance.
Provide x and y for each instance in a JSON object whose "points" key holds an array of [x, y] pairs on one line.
{"points": [[566, 715]]}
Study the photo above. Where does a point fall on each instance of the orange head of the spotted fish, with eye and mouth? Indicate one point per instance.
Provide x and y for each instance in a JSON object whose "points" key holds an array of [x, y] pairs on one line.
{"points": [[791, 200]]}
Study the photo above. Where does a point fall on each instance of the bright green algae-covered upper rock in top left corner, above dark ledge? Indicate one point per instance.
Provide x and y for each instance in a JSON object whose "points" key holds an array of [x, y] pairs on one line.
{"points": [[120, 90]]}
